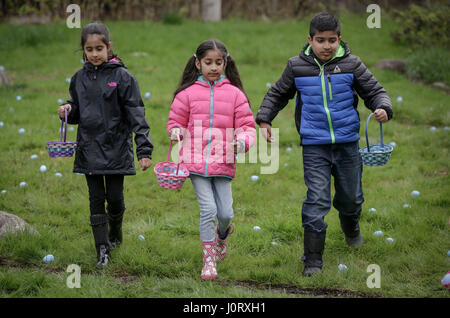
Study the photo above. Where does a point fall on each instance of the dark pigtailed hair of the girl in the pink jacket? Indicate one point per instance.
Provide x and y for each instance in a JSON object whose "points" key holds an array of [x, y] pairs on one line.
{"points": [[191, 72]]}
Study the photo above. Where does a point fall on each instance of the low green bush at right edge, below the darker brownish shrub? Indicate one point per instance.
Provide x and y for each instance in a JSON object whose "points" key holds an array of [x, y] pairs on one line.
{"points": [[430, 65]]}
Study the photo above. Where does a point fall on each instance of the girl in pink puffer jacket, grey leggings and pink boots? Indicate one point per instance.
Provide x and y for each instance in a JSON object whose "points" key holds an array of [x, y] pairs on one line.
{"points": [[211, 114]]}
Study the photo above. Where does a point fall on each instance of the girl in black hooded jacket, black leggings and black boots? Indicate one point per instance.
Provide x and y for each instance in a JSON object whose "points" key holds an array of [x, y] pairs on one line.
{"points": [[107, 106]]}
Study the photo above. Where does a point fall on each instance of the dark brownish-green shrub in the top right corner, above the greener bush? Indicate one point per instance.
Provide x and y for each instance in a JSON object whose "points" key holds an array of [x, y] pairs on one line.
{"points": [[423, 26]]}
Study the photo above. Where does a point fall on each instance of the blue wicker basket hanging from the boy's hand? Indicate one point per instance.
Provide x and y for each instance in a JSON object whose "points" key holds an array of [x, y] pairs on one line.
{"points": [[378, 154]]}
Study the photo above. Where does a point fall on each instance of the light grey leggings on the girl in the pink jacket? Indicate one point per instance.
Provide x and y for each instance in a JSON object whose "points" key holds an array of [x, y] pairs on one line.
{"points": [[215, 199]]}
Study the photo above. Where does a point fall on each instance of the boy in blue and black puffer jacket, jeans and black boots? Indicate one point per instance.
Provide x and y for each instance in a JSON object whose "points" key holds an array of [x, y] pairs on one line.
{"points": [[326, 79]]}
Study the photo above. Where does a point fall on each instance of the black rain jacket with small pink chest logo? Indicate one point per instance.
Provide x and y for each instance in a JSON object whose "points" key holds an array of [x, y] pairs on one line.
{"points": [[108, 108]]}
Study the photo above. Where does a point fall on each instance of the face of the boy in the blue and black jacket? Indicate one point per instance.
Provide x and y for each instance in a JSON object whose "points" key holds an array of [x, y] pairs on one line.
{"points": [[324, 44]]}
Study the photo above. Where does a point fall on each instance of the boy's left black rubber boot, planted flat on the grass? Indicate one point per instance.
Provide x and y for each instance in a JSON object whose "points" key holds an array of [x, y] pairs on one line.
{"points": [[314, 244]]}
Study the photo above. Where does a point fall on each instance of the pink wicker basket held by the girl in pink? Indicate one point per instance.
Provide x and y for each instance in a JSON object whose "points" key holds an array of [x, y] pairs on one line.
{"points": [[171, 175]]}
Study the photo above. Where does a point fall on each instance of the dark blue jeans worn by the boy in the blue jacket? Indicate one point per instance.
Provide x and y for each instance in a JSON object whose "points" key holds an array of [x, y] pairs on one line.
{"points": [[344, 163]]}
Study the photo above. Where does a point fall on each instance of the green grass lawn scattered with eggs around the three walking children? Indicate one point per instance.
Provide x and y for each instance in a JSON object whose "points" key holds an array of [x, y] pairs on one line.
{"points": [[168, 262]]}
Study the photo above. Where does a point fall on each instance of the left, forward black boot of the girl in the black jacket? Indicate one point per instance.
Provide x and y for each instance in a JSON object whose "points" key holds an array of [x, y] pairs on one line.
{"points": [[100, 230]]}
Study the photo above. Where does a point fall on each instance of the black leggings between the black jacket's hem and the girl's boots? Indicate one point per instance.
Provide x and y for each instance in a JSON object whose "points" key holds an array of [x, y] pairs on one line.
{"points": [[107, 188]]}
